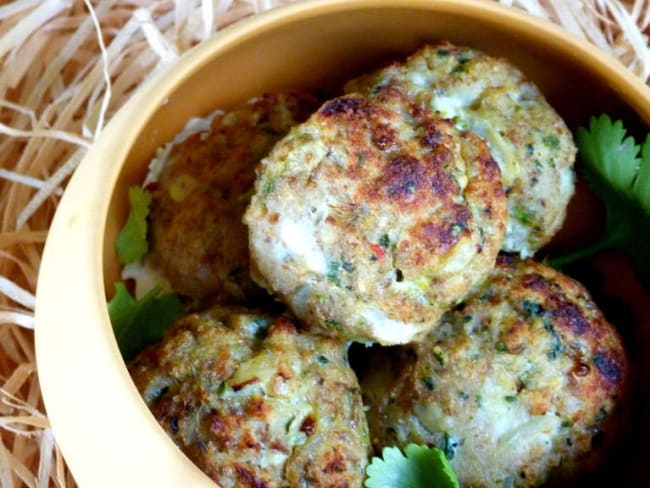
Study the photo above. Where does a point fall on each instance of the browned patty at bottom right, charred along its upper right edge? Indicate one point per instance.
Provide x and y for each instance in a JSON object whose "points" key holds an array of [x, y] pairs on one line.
{"points": [[524, 382]]}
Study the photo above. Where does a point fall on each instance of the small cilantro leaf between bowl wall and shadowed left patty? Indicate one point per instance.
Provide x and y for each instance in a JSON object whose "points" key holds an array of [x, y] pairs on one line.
{"points": [[131, 243]]}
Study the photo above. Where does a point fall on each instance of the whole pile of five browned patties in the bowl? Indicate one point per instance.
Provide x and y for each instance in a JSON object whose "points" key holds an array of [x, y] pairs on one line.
{"points": [[379, 219]]}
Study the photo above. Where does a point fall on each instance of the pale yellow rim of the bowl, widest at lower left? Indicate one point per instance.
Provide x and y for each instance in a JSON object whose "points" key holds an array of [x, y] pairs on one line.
{"points": [[95, 407]]}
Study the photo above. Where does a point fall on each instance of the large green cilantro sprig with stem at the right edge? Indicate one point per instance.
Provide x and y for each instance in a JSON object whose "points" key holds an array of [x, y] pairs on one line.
{"points": [[618, 171]]}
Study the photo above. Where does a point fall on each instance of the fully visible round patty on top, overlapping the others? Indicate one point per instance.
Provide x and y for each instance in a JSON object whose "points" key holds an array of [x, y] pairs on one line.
{"points": [[373, 217]]}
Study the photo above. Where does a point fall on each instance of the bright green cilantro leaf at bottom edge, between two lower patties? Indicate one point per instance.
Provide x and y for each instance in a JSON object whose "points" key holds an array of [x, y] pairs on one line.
{"points": [[422, 467]]}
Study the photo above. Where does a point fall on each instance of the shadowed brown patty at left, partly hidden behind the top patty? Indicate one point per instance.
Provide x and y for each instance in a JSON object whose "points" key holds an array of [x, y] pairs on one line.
{"points": [[197, 238]]}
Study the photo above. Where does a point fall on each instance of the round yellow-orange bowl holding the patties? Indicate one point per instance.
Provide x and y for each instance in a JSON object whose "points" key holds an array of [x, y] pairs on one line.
{"points": [[105, 431]]}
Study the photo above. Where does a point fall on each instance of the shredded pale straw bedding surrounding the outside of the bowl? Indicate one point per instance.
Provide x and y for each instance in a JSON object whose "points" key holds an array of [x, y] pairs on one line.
{"points": [[67, 65]]}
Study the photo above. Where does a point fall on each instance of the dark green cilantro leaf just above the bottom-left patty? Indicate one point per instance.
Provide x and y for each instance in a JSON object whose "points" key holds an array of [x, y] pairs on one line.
{"points": [[139, 323]]}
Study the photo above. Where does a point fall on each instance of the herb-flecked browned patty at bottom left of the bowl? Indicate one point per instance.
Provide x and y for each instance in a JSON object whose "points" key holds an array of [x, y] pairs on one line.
{"points": [[255, 404]]}
